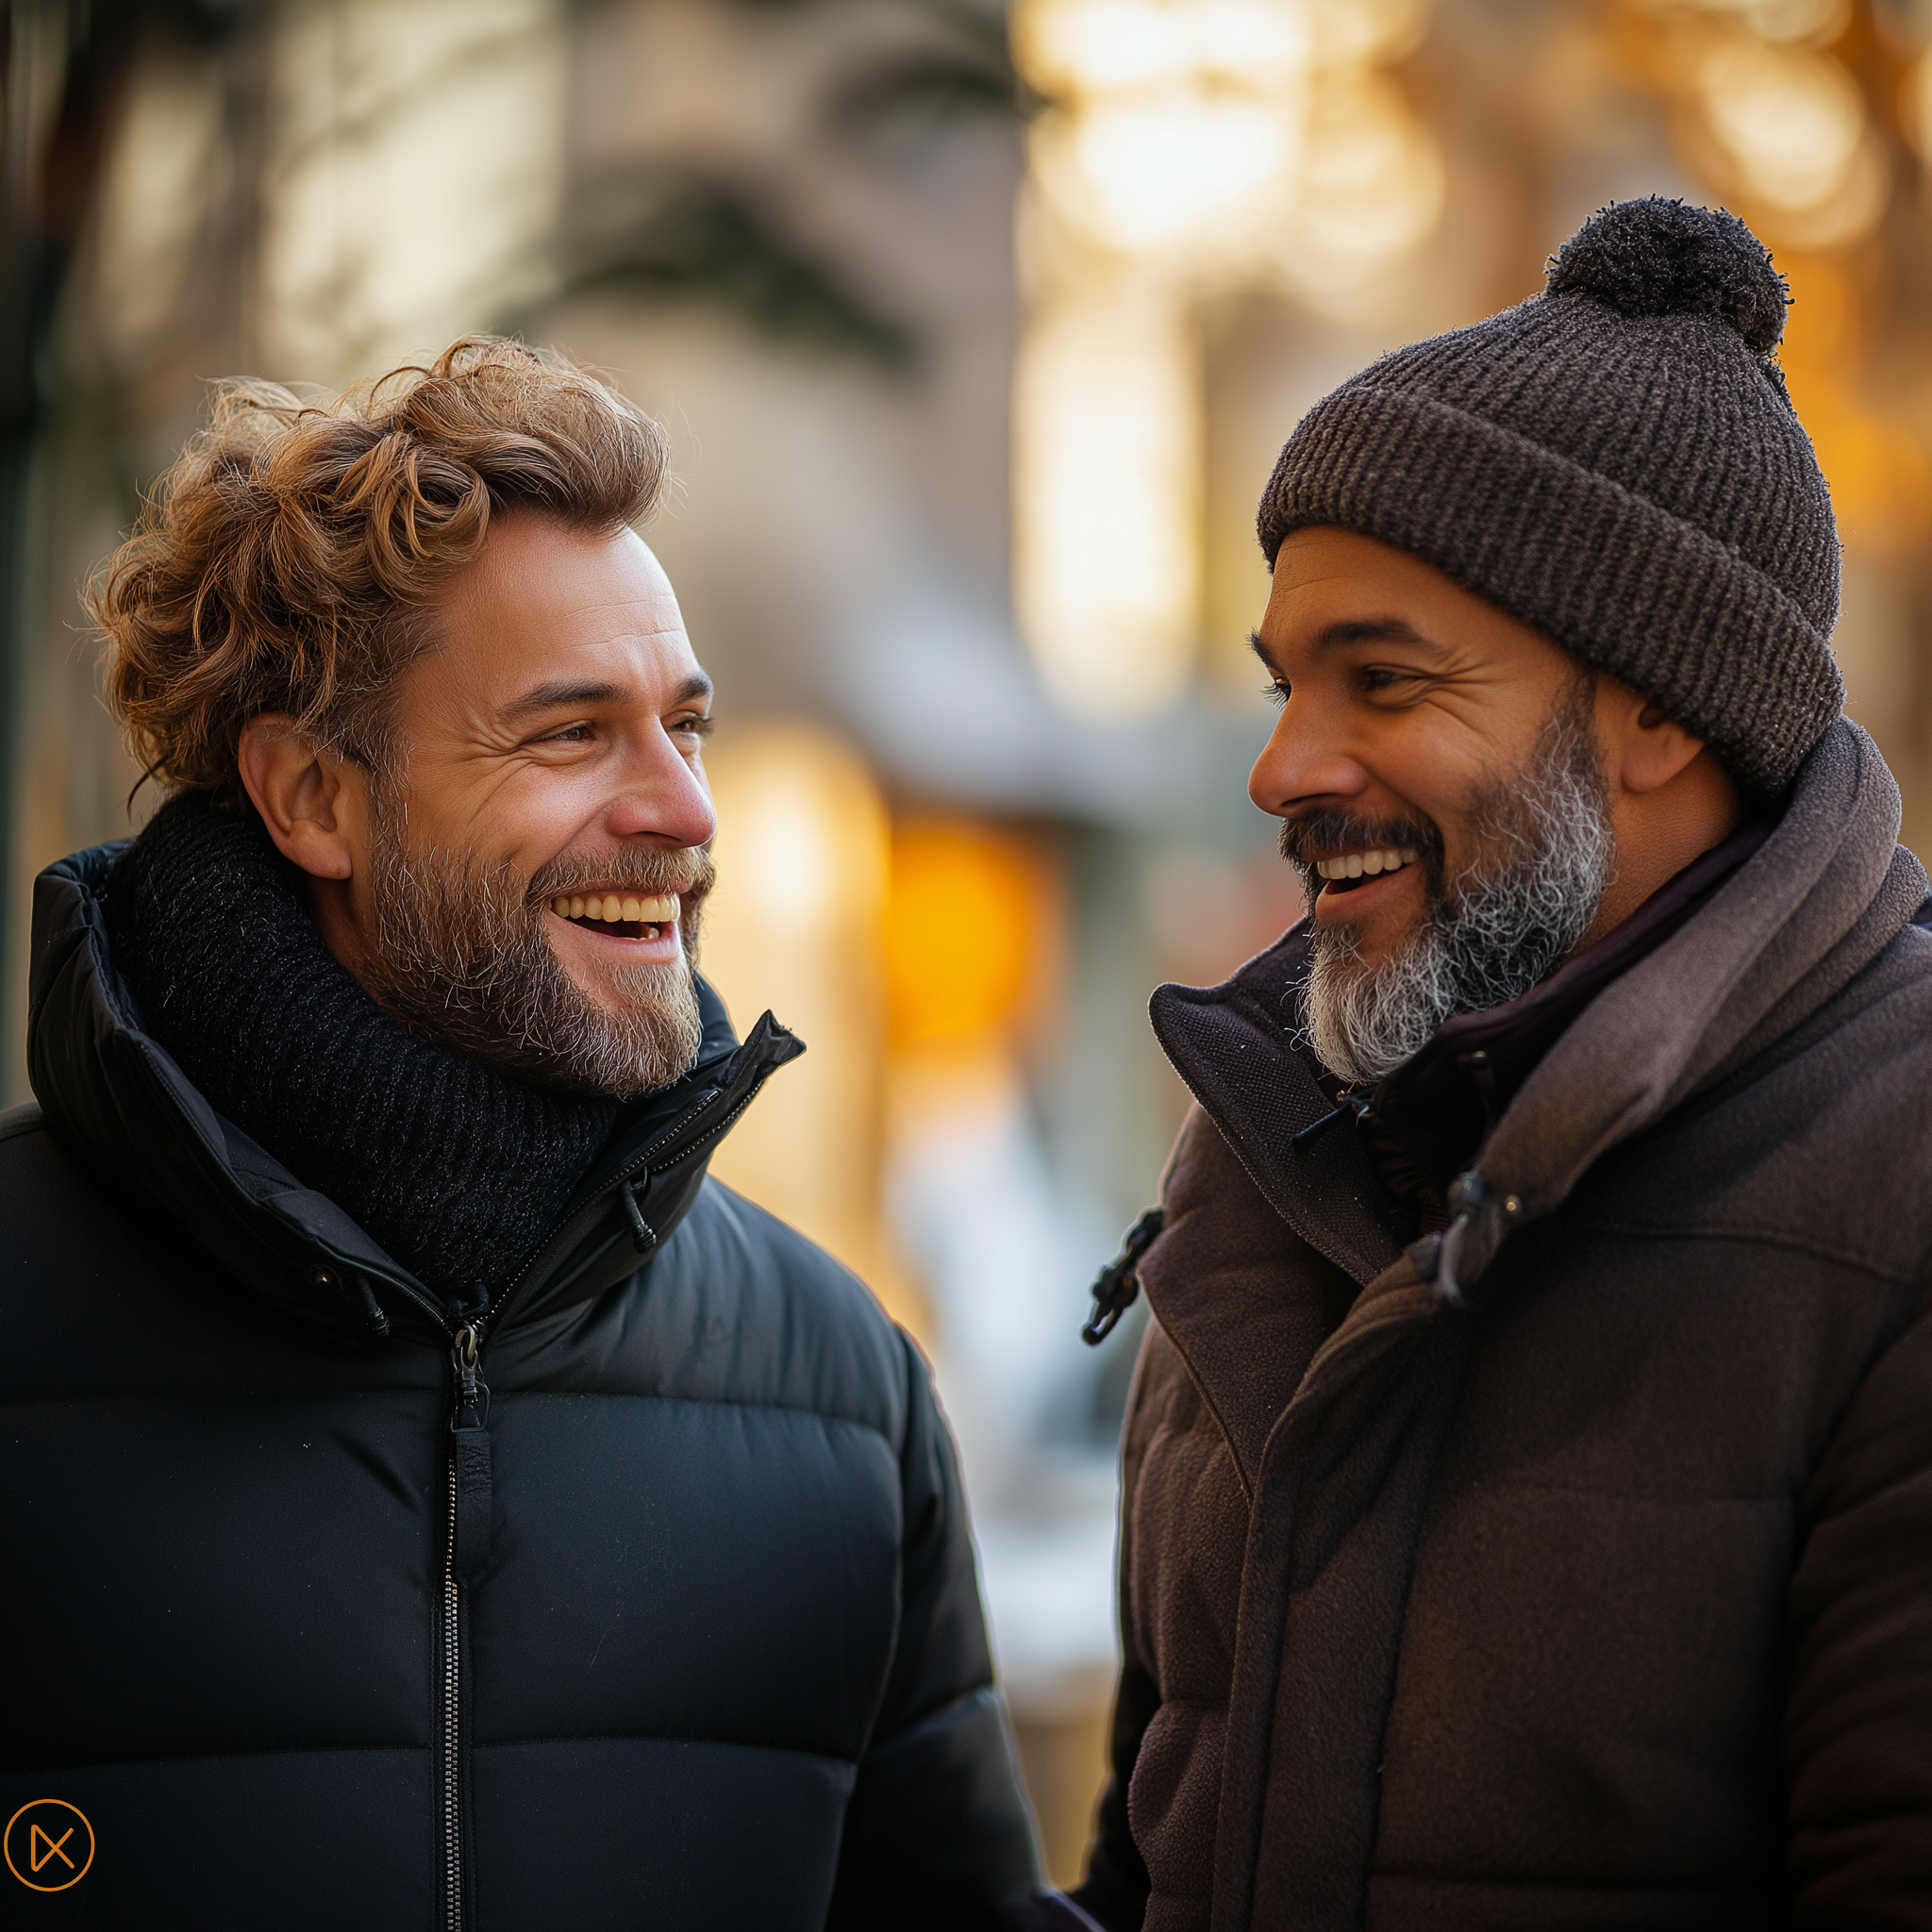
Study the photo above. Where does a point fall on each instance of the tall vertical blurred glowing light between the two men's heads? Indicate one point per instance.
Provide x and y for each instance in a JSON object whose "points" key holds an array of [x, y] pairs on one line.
{"points": [[1108, 492]]}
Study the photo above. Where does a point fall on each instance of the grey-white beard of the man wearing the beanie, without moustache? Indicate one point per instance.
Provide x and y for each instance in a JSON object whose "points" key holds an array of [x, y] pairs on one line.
{"points": [[1514, 917]]}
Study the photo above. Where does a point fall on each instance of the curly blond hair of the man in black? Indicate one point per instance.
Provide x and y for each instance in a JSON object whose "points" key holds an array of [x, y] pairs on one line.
{"points": [[289, 557]]}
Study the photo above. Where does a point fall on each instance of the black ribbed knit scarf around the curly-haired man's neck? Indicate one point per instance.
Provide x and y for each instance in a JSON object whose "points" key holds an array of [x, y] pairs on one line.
{"points": [[459, 1172]]}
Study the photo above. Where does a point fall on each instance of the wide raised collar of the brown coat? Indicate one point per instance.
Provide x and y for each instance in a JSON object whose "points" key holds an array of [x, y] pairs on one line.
{"points": [[1819, 899]]}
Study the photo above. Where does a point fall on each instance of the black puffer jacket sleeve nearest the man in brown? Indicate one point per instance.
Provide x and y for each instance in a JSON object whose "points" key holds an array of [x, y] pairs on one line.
{"points": [[938, 1834]]}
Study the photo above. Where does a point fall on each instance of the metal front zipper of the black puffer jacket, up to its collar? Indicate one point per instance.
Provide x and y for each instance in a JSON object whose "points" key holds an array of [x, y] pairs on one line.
{"points": [[470, 1440]]}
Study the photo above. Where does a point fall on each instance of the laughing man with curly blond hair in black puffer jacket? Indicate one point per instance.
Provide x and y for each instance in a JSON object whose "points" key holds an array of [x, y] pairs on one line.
{"points": [[428, 1498]]}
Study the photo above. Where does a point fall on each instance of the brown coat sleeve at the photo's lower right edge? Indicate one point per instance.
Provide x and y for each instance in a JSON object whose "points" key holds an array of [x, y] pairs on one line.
{"points": [[1860, 1717]]}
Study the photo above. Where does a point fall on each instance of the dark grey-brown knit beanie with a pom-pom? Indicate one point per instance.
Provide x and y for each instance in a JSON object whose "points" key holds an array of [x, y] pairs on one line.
{"points": [[1614, 463]]}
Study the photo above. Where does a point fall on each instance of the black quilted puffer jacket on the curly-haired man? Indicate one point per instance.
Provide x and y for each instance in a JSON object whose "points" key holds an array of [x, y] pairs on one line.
{"points": [[677, 1630]]}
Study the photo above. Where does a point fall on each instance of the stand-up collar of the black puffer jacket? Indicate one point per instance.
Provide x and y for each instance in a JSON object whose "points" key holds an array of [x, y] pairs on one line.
{"points": [[128, 1112]]}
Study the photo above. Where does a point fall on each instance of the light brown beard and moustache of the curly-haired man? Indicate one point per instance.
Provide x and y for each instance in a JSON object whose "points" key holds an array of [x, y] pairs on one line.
{"points": [[463, 959]]}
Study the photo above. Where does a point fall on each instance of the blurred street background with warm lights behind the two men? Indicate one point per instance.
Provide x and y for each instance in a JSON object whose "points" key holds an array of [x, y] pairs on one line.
{"points": [[977, 333]]}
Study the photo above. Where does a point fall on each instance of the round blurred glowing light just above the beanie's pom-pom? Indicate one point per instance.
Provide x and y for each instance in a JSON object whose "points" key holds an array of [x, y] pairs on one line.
{"points": [[1792, 121]]}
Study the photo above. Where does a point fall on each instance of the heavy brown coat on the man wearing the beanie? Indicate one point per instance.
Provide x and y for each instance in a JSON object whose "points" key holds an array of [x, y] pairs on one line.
{"points": [[1570, 1570]]}
